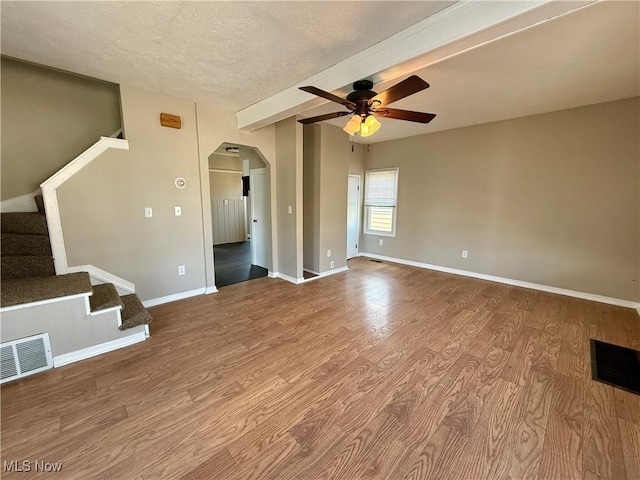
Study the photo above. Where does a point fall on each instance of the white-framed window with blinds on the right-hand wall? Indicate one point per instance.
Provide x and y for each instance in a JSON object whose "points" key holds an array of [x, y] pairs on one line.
{"points": [[381, 192]]}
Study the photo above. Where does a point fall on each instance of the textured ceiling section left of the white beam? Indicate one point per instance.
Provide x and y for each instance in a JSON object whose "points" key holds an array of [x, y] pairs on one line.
{"points": [[230, 53]]}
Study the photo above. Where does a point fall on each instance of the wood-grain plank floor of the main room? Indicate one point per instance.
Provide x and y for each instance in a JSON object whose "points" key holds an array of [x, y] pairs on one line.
{"points": [[385, 371]]}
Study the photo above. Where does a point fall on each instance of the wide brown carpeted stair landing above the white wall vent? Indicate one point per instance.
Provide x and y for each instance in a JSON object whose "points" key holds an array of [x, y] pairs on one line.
{"points": [[17, 291]]}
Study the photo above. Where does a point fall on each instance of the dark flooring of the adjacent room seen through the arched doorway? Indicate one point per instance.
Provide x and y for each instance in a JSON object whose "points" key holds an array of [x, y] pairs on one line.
{"points": [[232, 262]]}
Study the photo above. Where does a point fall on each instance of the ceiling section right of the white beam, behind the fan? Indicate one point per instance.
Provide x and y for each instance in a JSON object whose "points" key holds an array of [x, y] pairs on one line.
{"points": [[589, 56]]}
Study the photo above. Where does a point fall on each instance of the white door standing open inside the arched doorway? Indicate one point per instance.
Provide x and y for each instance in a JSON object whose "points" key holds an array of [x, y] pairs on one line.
{"points": [[260, 217]]}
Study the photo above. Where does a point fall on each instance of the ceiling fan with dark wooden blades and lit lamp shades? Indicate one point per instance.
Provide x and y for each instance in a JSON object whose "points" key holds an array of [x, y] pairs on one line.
{"points": [[365, 105]]}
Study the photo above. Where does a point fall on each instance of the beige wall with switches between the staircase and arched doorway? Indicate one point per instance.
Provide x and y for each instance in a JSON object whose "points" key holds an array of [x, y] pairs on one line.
{"points": [[102, 208]]}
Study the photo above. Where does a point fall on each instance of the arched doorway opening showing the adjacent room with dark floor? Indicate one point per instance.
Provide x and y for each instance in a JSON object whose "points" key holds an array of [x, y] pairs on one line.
{"points": [[239, 182]]}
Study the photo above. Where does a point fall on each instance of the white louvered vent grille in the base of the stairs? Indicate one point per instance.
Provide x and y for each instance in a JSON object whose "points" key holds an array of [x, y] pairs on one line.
{"points": [[25, 356]]}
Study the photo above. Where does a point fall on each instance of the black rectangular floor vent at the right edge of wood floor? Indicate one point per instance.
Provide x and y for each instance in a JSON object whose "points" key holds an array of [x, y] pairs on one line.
{"points": [[616, 366]]}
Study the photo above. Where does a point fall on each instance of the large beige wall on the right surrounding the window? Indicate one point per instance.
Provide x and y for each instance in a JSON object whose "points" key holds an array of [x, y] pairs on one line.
{"points": [[552, 199]]}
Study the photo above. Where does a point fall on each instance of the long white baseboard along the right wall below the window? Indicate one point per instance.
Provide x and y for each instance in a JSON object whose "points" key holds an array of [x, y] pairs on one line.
{"points": [[508, 281]]}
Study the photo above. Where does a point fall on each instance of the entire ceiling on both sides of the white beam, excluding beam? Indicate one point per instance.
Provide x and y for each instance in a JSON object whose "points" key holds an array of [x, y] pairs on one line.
{"points": [[237, 53]]}
